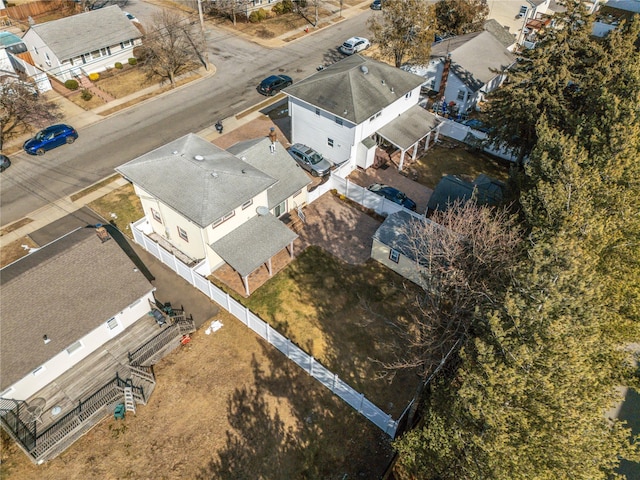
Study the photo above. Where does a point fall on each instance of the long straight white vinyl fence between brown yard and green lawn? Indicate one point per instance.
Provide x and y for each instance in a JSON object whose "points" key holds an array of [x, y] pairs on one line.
{"points": [[310, 365]]}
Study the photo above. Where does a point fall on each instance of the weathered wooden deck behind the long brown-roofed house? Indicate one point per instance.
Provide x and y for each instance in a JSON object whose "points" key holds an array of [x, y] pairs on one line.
{"points": [[94, 371]]}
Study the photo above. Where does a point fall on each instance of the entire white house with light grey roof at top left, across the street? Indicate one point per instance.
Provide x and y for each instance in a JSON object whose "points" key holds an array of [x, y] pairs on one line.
{"points": [[82, 44]]}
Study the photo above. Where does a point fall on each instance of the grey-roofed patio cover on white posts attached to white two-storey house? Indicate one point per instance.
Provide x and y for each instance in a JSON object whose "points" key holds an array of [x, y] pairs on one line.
{"points": [[407, 131]]}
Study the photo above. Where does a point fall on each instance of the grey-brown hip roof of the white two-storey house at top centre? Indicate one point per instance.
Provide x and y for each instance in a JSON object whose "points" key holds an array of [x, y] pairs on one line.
{"points": [[355, 88]]}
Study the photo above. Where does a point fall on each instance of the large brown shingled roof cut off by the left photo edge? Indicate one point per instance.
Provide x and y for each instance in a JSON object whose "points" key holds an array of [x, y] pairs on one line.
{"points": [[64, 290]]}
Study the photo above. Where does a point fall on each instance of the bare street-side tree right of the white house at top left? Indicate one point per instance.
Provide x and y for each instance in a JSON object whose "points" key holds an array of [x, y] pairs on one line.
{"points": [[172, 47]]}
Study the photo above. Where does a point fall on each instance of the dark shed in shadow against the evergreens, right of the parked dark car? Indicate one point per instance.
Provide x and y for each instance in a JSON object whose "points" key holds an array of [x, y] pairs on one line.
{"points": [[485, 190]]}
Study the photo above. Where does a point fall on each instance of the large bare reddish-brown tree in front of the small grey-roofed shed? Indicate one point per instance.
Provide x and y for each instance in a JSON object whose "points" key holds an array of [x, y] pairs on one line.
{"points": [[464, 257]]}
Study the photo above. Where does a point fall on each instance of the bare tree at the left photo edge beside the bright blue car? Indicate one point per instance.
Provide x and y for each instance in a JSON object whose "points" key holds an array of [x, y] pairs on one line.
{"points": [[22, 109]]}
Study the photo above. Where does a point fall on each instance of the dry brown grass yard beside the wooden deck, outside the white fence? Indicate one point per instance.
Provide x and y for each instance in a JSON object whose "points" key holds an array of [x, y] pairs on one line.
{"points": [[227, 406]]}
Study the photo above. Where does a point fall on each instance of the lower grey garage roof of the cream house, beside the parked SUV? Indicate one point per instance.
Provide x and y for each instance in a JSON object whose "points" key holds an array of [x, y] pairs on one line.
{"points": [[279, 165]]}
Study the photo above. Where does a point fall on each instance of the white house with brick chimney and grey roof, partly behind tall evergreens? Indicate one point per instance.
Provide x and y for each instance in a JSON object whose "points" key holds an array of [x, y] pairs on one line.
{"points": [[465, 68]]}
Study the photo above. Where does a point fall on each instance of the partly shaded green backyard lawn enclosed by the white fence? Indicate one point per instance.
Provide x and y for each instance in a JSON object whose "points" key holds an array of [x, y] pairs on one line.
{"points": [[350, 318]]}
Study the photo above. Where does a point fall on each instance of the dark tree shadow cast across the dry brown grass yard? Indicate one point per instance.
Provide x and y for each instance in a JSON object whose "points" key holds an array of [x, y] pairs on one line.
{"points": [[313, 436]]}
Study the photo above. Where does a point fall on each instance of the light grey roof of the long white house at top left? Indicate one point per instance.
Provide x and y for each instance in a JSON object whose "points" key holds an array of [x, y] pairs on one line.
{"points": [[85, 32]]}
